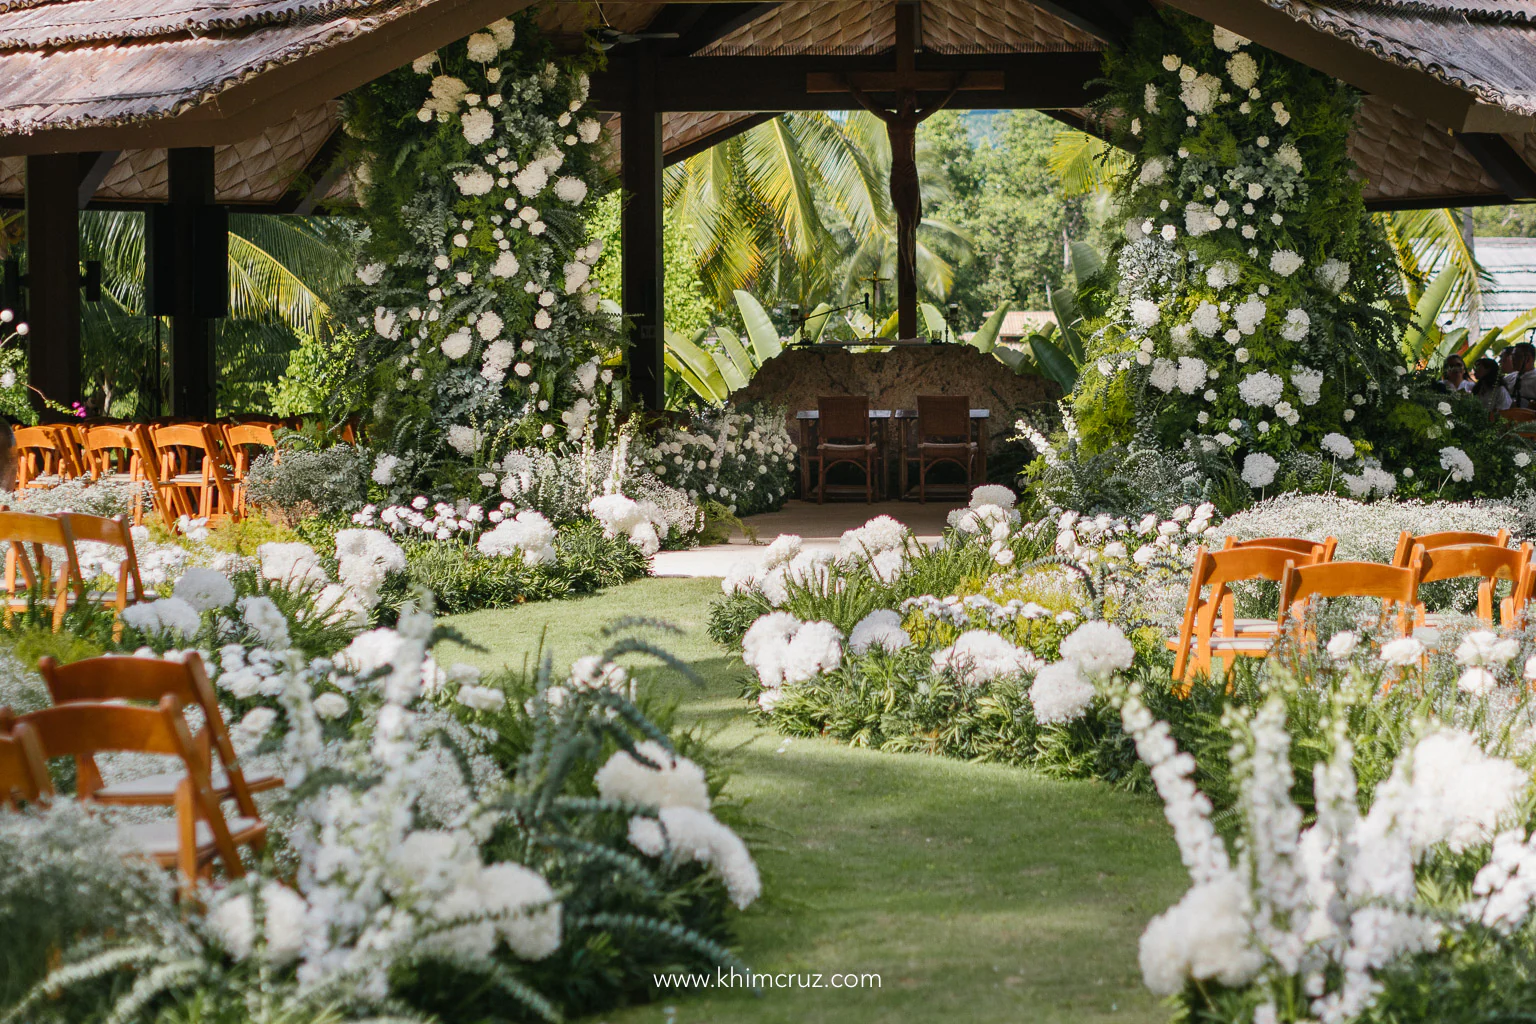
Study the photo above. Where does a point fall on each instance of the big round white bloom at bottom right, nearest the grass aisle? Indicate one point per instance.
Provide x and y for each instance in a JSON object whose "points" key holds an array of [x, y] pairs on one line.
{"points": [[1207, 936]]}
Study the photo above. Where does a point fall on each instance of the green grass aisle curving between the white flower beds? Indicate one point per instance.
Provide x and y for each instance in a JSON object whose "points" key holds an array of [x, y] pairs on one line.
{"points": [[978, 893]]}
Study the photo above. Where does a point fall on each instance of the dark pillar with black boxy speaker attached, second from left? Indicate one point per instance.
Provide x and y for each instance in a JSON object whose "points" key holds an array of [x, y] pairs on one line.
{"points": [[188, 277]]}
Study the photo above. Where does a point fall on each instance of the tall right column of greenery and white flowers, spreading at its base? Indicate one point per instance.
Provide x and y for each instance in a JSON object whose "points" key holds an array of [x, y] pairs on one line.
{"points": [[1253, 305]]}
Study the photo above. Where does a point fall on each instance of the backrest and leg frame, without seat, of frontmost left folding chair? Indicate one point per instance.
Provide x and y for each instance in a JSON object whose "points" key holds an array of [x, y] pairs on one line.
{"points": [[85, 730]]}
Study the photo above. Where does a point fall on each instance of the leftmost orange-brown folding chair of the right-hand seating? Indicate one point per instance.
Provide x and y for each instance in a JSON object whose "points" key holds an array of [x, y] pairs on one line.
{"points": [[1210, 627]]}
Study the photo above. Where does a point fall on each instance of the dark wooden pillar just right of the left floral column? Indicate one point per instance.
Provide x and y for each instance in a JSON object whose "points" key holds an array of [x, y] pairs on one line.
{"points": [[641, 236]]}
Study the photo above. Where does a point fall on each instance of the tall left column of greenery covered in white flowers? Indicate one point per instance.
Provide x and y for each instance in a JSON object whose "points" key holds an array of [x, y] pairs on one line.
{"points": [[477, 326]]}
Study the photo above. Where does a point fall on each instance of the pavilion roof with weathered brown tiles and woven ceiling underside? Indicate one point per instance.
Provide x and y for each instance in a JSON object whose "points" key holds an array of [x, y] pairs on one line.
{"points": [[1449, 117]]}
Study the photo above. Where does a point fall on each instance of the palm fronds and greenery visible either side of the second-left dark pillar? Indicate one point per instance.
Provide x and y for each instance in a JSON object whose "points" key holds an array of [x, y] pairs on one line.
{"points": [[280, 273]]}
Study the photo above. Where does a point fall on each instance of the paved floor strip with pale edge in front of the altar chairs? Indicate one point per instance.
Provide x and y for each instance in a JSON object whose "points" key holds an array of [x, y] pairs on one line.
{"points": [[819, 526]]}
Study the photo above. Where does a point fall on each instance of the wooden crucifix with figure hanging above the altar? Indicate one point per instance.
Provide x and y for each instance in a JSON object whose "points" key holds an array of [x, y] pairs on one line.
{"points": [[901, 125]]}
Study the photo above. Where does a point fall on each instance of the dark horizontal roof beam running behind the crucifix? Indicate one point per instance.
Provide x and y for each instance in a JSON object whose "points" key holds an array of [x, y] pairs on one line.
{"points": [[780, 84]]}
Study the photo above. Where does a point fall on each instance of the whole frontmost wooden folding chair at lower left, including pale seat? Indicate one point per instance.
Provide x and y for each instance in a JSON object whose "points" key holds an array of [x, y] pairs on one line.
{"points": [[199, 834]]}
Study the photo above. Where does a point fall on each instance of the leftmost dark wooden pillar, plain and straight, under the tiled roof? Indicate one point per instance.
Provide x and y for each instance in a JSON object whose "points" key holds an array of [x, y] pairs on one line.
{"points": [[53, 251]]}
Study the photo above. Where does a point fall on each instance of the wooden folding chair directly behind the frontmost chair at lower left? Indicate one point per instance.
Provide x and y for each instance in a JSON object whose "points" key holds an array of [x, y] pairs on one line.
{"points": [[150, 681]]}
